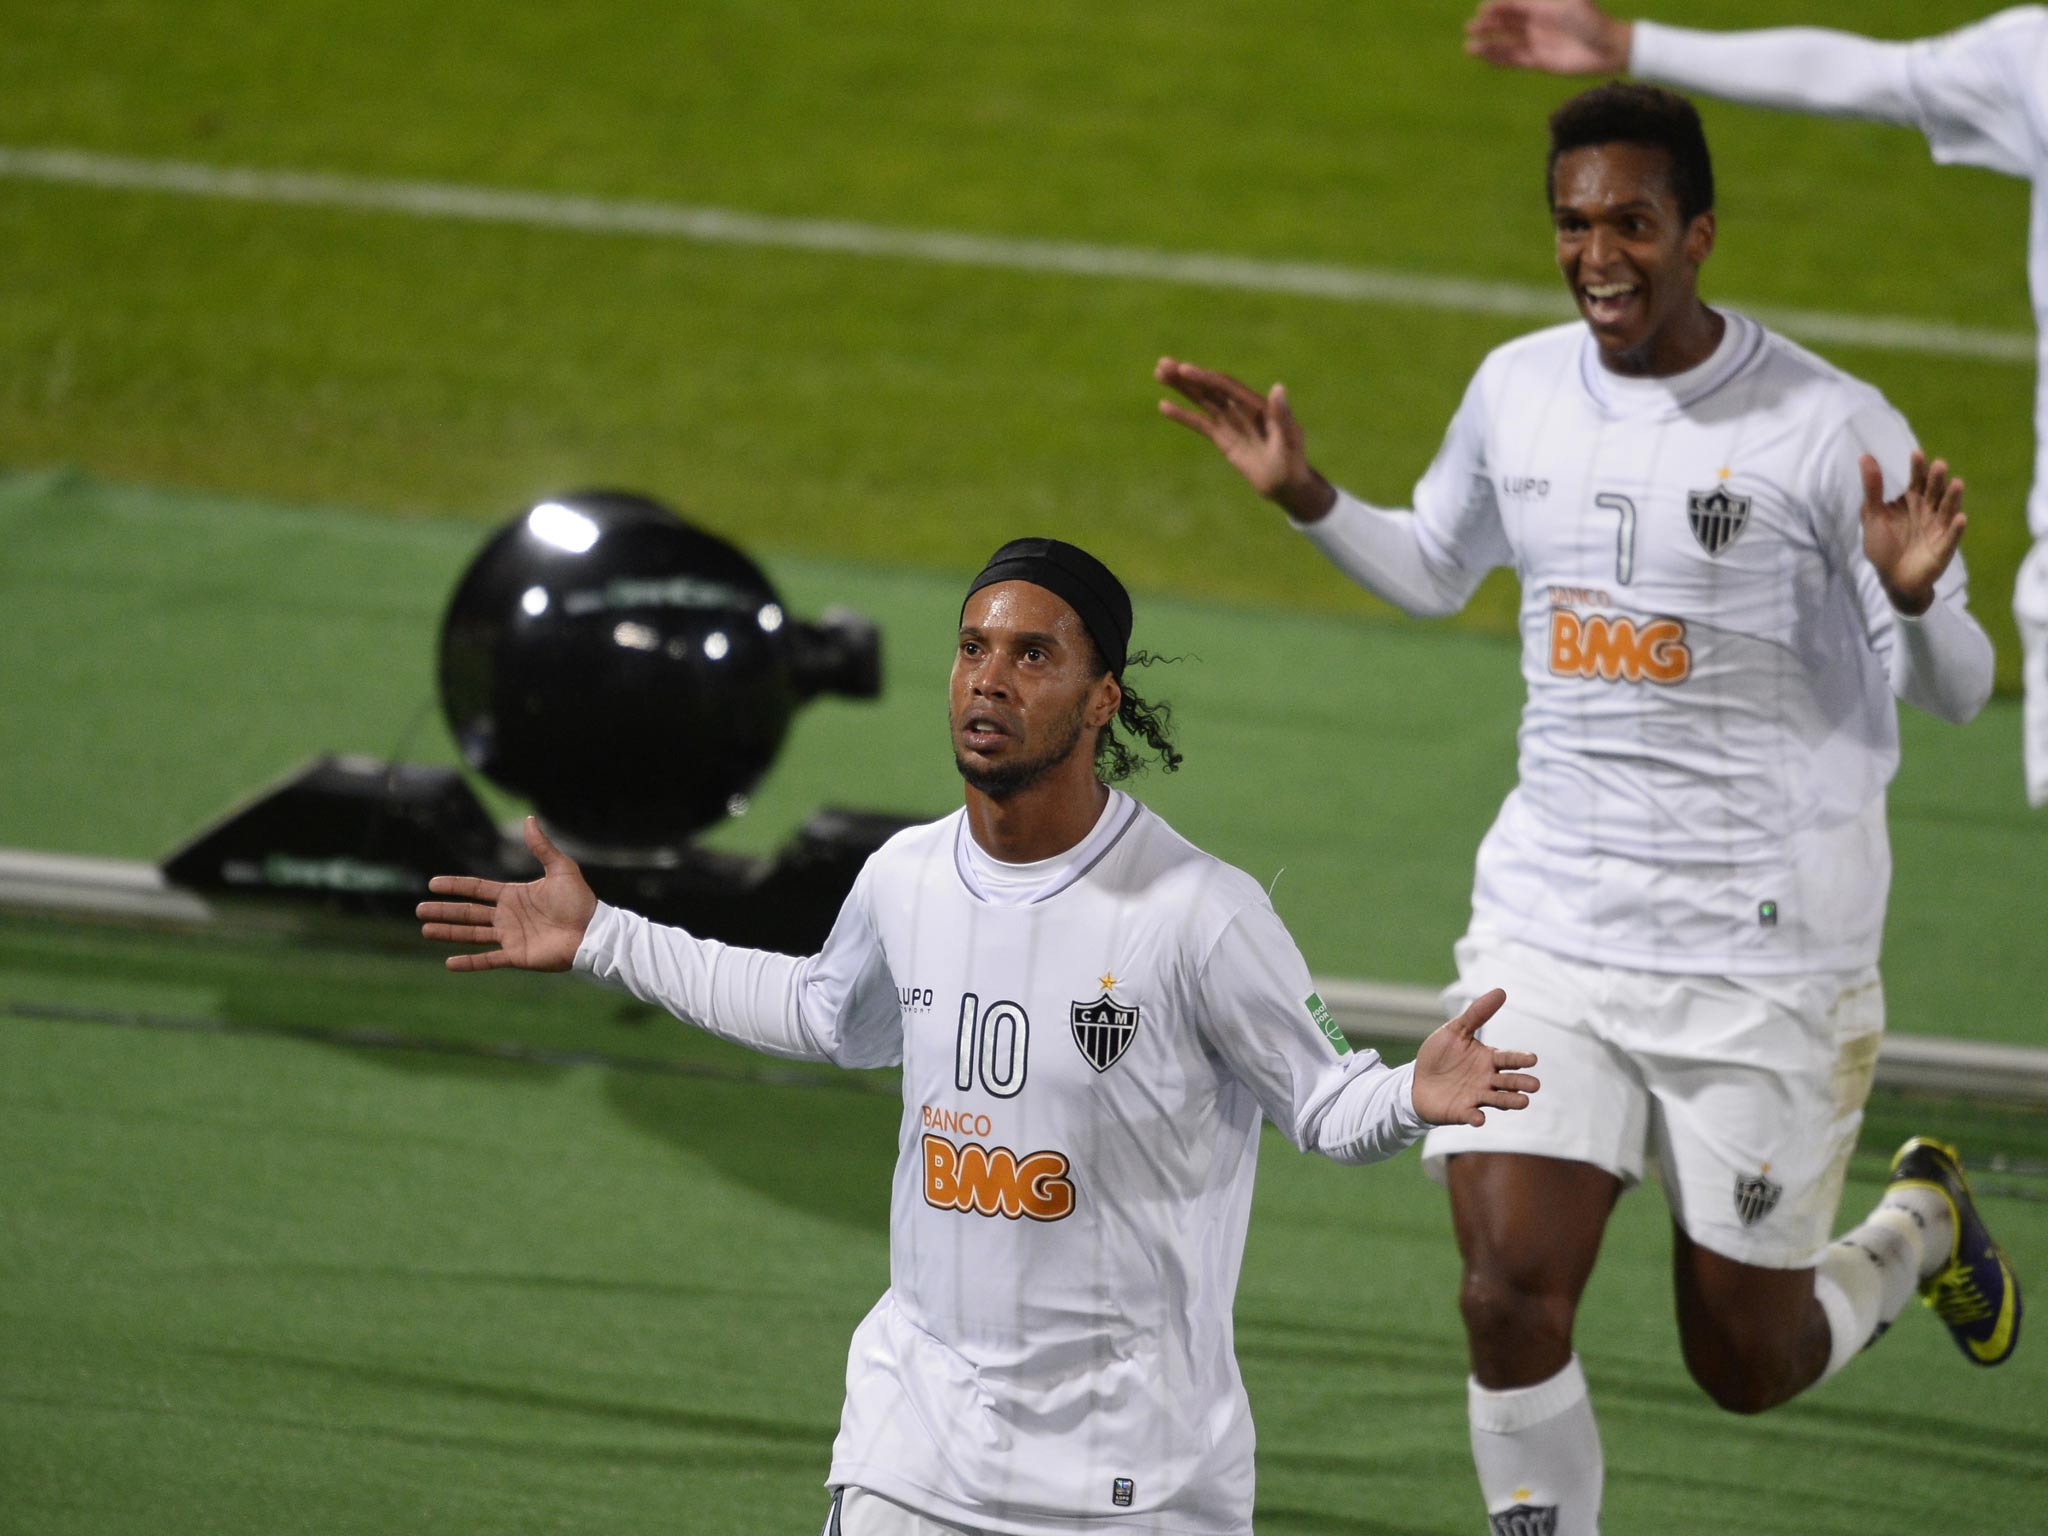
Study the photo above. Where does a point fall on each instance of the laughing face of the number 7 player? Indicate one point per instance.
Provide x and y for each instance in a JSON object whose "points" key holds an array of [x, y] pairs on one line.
{"points": [[1631, 261]]}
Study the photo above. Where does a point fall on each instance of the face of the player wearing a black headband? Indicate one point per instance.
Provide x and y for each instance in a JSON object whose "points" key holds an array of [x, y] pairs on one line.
{"points": [[1027, 695]]}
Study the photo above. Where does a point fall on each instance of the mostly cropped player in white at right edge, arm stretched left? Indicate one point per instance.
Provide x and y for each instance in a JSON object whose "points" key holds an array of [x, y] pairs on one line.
{"points": [[1979, 95]]}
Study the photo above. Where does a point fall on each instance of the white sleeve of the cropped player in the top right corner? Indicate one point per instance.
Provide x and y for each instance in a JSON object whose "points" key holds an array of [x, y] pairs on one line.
{"points": [[1969, 91]]}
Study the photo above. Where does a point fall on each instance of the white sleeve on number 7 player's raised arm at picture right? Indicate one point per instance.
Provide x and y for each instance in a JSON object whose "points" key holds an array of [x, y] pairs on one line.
{"points": [[1940, 660]]}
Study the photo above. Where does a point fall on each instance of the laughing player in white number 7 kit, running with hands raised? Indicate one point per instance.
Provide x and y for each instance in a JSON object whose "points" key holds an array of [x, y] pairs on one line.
{"points": [[1732, 560]]}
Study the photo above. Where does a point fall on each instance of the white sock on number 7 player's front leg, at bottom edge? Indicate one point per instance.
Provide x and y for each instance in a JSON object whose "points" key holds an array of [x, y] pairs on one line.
{"points": [[1539, 1449]]}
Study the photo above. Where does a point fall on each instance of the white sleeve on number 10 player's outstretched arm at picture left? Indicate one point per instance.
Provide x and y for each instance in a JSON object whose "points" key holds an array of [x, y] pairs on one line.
{"points": [[833, 1007]]}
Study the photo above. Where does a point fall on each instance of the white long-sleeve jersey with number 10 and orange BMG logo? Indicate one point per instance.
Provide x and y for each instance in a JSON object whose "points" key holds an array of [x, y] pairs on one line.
{"points": [[1084, 1076]]}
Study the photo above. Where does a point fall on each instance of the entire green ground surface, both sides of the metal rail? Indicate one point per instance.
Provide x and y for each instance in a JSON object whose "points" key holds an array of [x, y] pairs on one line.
{"points": [[304, 1254]]}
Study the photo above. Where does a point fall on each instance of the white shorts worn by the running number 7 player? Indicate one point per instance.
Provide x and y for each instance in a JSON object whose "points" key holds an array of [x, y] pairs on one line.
{"points": [[1748, 1091]]}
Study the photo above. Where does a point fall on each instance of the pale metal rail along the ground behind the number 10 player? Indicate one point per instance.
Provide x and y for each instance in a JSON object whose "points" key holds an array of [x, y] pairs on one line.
{"points": [[134, 892]]}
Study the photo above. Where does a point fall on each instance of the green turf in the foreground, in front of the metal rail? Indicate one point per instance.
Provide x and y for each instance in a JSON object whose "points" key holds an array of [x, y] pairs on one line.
{"points": [[339, 1285]]}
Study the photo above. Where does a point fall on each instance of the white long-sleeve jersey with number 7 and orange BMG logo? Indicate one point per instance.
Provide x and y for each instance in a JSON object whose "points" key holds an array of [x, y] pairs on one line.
{"points": [[1711, 658]]}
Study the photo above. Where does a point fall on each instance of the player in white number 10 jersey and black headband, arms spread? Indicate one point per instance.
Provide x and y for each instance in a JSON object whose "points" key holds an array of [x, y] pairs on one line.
{"points": [[1093, 1017]]}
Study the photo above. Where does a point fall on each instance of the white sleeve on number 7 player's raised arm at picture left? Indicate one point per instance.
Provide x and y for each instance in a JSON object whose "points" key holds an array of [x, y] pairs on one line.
{"points": [[1426, 562]]}
